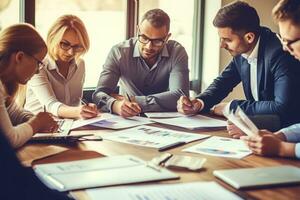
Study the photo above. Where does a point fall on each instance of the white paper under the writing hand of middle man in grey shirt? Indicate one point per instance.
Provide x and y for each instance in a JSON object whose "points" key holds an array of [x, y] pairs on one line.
{"points": [[118, 122]]}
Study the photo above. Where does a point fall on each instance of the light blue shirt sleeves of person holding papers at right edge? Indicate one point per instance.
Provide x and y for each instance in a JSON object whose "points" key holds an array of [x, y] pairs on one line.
{"points": [[292, 134]]}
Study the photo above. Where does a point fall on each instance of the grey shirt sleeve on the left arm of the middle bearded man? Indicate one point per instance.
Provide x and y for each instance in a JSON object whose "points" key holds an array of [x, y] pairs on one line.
{"points": [[108, 81]]}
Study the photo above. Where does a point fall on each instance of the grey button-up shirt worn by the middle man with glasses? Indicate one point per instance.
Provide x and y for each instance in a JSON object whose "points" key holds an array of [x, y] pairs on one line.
{"points": [[155, 88]]}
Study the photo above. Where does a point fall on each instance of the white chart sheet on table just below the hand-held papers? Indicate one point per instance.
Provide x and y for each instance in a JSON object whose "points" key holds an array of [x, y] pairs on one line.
{"points": [[222, 147]]}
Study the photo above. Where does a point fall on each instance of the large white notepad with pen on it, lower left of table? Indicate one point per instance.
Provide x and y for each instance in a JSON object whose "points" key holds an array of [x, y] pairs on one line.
{"points": [[99, 172]]}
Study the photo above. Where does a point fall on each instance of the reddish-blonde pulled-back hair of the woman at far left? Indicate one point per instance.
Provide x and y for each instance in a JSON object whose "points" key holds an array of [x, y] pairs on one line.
{"points": [[18, 37]]}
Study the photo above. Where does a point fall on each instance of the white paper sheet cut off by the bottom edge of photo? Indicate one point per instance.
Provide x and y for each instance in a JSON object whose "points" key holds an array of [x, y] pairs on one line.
{"points": [[179, 191]]}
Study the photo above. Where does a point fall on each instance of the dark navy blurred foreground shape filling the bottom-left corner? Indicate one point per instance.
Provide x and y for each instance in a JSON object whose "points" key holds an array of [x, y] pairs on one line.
{"points": [[18, 182]]}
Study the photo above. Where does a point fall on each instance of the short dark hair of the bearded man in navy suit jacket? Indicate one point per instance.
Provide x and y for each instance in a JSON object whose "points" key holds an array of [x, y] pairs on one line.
{"points": [[239, 16]]}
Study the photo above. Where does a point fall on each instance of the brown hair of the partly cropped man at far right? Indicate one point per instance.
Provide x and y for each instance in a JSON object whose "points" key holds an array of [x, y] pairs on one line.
{"points": [[287, 10]]}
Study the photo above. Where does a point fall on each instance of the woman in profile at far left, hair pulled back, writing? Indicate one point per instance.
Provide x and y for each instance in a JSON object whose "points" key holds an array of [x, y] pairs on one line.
{"points": [[21, 52]]}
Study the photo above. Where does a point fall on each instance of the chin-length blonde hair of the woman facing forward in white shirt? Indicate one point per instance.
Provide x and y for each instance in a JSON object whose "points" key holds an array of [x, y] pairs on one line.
{"points": [[60, 26]]}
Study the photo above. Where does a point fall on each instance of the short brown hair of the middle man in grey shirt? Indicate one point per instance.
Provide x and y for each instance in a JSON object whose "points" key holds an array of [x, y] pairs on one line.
{"points": [[157, 18]]}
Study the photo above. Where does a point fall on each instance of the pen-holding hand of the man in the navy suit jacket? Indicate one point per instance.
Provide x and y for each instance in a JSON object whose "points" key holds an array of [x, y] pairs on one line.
{"points": [[187, 106]]}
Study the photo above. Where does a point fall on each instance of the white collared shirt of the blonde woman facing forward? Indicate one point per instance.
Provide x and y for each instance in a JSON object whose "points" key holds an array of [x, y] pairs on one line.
{"points": [[51, 89]]}
